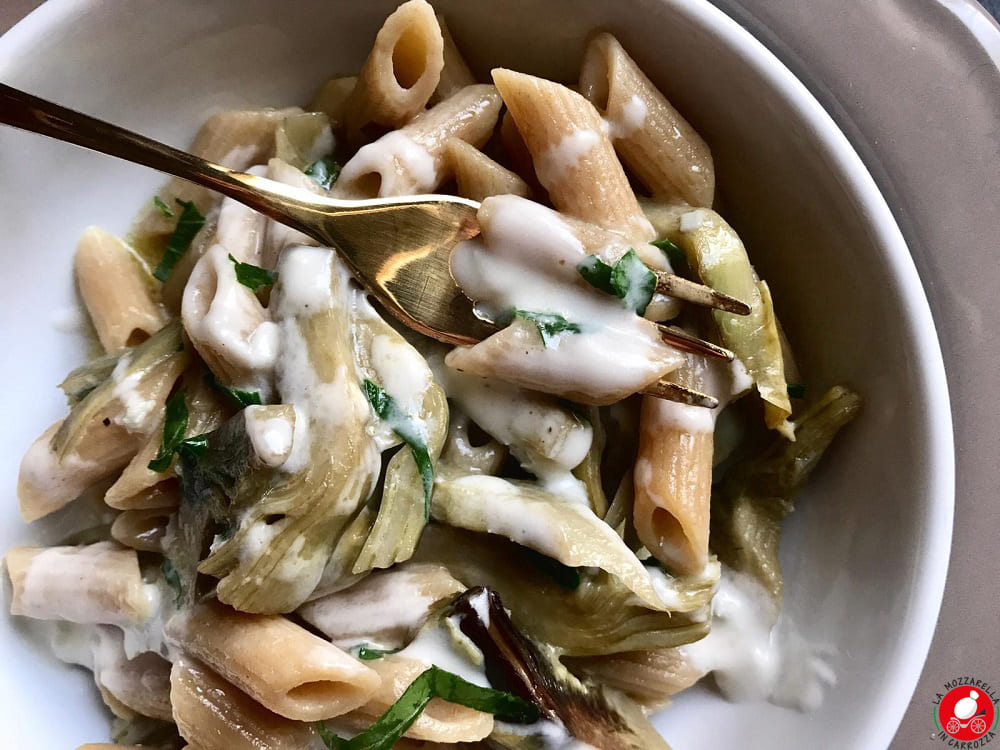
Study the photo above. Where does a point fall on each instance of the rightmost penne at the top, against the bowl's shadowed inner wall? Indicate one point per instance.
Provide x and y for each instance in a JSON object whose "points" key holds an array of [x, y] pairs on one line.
{"points": [[652, 137]]}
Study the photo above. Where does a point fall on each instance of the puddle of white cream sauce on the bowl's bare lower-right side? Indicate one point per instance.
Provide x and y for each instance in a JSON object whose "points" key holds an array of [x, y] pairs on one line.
{"points": [[753, 658]]}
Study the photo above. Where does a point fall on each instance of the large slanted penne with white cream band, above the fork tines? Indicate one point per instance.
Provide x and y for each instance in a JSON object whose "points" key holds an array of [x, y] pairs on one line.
{"points": [[573, 156]]}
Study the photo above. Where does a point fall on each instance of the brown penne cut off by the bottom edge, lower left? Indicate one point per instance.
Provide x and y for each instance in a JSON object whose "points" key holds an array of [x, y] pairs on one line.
{"points": [[213, 714]]}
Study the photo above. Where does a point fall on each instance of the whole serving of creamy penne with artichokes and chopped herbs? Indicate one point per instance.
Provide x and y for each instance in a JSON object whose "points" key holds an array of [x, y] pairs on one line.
{"points": [[275, 518]]}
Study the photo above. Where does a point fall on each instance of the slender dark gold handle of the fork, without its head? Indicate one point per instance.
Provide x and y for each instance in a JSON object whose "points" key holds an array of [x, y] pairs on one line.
{"points": [[28, 112]]}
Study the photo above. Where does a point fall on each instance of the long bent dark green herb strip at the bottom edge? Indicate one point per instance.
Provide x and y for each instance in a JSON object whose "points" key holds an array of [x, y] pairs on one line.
{"points": [[433, 683]]}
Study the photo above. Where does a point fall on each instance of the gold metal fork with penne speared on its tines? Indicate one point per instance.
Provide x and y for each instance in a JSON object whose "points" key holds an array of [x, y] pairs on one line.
{"points": [[399, 248]]}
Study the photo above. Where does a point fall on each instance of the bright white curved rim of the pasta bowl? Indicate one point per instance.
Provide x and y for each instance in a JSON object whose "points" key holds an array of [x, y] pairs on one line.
{"points": [[935, 533]]}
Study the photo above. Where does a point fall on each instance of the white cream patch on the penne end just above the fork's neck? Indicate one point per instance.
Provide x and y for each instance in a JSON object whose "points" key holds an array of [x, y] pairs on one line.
{"points": [[402, 164]]}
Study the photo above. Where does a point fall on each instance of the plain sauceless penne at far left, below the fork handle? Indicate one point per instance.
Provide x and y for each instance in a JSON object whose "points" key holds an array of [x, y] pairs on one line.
{"points": [[116, 290]]}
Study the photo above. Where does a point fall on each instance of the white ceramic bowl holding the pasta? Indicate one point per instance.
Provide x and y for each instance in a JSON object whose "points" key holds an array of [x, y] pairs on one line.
{"points": [[866, 555]]}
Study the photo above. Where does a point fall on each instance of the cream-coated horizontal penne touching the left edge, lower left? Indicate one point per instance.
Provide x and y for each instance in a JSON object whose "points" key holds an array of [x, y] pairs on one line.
{"points": [[98, 583]]}
